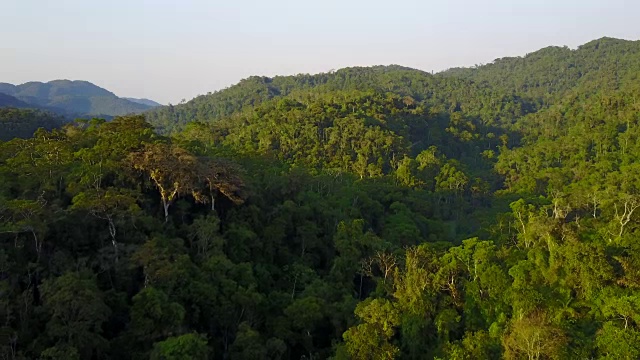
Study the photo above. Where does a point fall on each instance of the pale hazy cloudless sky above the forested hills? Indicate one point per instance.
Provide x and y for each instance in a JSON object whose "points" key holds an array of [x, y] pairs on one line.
{"points": [[169, 50]]}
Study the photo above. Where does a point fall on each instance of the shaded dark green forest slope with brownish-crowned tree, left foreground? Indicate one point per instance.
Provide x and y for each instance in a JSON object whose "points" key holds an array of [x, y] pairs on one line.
{"points": [[119, 243]]}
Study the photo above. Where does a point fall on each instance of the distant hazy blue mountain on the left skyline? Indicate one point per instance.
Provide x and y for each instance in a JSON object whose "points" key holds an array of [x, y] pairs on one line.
{"points": [[72, 98]]}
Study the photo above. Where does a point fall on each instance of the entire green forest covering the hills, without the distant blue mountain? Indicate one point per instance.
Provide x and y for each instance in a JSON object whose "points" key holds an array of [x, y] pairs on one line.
{"points": [[371, 213]]}
